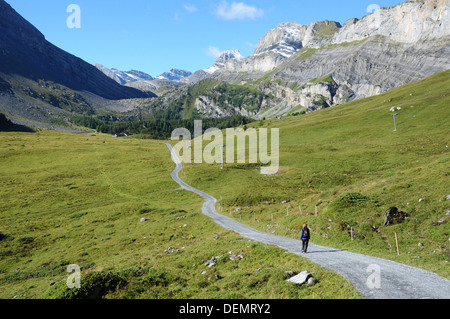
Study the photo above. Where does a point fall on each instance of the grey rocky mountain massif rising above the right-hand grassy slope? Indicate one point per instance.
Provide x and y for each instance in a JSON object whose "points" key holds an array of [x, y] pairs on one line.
{"points": [[323, 64]]}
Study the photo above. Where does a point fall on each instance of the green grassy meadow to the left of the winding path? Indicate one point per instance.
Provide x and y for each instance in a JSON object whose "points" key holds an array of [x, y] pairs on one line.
{"points": [[78, 199]]}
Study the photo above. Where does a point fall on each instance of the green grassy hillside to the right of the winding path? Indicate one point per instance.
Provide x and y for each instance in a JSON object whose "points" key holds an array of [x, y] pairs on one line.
{"points": [[353, 148]]}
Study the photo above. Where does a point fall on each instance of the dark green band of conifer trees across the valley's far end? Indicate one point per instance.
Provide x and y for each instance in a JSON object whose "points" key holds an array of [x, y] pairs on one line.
{"points": [[157, 128]]}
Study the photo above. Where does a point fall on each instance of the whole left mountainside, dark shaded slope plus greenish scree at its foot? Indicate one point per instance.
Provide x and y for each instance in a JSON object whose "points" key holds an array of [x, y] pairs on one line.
{"points": [[42, 83]]}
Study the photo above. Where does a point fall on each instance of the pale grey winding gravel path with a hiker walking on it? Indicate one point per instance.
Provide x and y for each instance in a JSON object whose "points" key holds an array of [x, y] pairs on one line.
{"points": [[374, 278]]}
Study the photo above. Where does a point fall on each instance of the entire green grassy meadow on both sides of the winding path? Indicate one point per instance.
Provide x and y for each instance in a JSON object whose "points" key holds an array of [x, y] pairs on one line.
{"points": [[79, 199]]}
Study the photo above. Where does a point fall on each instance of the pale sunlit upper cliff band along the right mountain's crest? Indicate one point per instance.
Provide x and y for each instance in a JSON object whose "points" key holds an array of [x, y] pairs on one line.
{"points": [[407, 22]]}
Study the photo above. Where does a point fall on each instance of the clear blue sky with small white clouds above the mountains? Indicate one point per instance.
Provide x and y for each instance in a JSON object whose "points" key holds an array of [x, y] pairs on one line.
{"points": [[155, 36]]}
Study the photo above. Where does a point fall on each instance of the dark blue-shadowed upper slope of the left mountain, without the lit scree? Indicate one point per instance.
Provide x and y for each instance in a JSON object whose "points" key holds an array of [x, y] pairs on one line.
{"points": [[25, 51]]}
